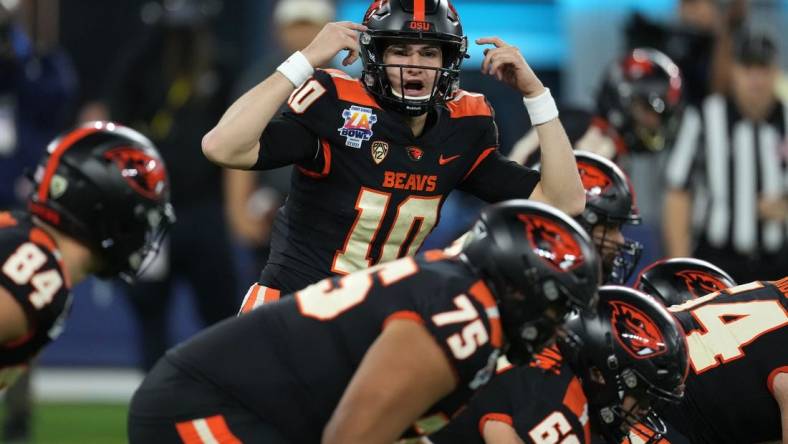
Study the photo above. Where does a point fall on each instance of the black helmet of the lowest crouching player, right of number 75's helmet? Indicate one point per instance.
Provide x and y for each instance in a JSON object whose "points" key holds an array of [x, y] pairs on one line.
{"points": [[630, 357]]}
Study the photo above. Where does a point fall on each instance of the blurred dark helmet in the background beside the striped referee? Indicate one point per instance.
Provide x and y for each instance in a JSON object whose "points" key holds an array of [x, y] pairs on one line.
{"points": [[644, 80]]}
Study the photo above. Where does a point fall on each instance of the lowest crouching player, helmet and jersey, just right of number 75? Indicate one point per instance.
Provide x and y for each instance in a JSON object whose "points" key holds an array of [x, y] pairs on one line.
{"points": [[617, 367]]}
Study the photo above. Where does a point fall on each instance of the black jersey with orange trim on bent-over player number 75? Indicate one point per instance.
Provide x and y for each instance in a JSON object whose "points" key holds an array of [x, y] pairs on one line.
{"points": [[282, 368]]}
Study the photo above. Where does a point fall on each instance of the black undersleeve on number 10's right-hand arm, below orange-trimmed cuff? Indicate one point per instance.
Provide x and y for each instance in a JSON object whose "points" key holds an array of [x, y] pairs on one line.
{"points": [[498, 178]]}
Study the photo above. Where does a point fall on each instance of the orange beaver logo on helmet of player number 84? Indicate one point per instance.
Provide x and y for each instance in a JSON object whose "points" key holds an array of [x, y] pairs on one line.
{"points": [[145, 174]]}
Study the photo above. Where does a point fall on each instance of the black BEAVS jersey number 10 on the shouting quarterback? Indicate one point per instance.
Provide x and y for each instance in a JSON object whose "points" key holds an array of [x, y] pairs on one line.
{"points": [[366, 190]]}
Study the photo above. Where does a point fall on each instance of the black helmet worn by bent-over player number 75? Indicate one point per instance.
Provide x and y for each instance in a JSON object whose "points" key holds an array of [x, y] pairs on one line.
{"points": [[540, 265]]}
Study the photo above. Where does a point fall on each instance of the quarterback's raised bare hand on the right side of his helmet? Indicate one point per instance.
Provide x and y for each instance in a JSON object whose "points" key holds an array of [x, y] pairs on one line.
{"points": [[508, 65]]}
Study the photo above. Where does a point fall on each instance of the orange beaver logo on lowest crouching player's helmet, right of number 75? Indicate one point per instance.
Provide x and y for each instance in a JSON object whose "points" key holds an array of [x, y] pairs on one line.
{"points": [[636, 332]]}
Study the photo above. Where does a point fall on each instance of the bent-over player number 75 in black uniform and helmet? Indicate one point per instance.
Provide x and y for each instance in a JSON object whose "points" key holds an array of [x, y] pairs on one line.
{"points": [[358, 359]]}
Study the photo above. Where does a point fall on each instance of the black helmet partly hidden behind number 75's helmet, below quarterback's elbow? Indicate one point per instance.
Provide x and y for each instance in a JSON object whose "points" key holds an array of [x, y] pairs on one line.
{"points": [[610, 203]]}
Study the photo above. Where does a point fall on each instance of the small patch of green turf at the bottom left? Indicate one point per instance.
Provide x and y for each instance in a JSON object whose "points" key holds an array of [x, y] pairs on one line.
{"points": [[79, 424]]}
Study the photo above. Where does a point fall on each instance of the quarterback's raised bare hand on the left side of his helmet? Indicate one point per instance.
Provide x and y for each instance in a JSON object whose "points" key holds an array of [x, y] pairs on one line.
{"points": [[333, 38]]}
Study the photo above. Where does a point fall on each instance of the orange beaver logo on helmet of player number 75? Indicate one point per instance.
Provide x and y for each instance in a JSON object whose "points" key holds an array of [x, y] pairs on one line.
{"points": [[552, 242]]}
